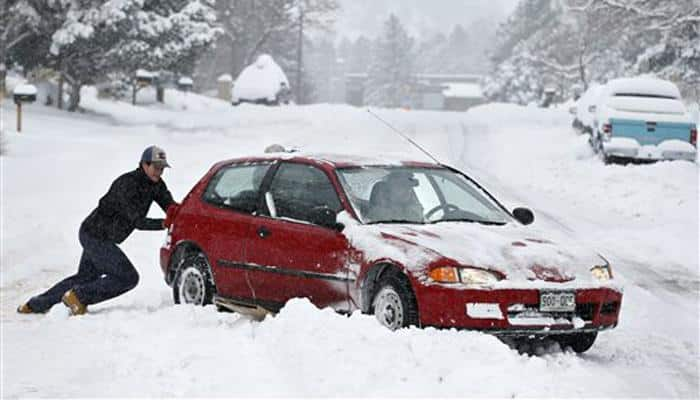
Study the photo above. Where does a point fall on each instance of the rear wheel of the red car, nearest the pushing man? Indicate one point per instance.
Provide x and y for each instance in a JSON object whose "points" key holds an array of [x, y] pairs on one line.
{"points": [[193, 282]]}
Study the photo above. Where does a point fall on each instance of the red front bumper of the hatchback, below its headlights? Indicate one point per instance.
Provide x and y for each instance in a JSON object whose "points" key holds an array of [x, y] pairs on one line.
{"points": [[515, 311]]}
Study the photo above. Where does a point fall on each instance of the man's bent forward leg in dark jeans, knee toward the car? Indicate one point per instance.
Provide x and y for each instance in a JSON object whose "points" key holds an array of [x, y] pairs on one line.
{"points": [[116, 274]]}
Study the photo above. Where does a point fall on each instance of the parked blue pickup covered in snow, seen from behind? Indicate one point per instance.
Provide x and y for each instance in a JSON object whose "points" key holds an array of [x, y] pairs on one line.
{"points": [[643, 119]]}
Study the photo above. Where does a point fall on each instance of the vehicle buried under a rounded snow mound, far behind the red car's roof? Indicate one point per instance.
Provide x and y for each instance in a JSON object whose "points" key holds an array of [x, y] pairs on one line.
{"points": [[262, 82]]}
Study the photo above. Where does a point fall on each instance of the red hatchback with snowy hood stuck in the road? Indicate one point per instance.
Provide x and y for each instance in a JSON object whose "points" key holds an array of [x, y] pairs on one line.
{"points": [[414, 243]]}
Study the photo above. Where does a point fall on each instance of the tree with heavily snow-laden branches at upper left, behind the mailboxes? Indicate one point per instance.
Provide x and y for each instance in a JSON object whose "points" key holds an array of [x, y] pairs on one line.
{"points": [[100, 37]]}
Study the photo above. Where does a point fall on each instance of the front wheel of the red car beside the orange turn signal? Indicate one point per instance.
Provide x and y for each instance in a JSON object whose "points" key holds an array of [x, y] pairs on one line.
{"points": [[394, 304]]}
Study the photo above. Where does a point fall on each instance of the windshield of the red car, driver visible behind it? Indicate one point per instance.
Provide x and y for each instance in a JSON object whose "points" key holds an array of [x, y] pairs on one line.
{"points": [[417, 195]]}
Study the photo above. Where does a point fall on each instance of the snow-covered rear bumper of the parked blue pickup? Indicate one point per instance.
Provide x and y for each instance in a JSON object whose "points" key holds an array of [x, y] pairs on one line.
{"points": [[631, 149]]}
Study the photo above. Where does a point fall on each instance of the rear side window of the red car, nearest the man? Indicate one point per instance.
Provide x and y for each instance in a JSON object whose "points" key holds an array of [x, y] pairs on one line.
{"points": [[237, 187]]}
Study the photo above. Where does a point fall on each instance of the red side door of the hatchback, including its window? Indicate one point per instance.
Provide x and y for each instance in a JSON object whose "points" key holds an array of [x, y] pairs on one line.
{"points": [[292, 257]]}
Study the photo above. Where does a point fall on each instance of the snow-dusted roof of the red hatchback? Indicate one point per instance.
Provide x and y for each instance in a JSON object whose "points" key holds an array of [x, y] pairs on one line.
{"points": [[335, 160]]}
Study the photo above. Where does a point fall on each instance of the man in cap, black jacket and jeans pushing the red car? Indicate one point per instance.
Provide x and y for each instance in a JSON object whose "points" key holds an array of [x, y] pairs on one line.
{"points": [[104, 271]]}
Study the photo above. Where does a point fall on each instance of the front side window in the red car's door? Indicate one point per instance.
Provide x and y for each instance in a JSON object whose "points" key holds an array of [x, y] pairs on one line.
{"points": [[298, 189]]}
